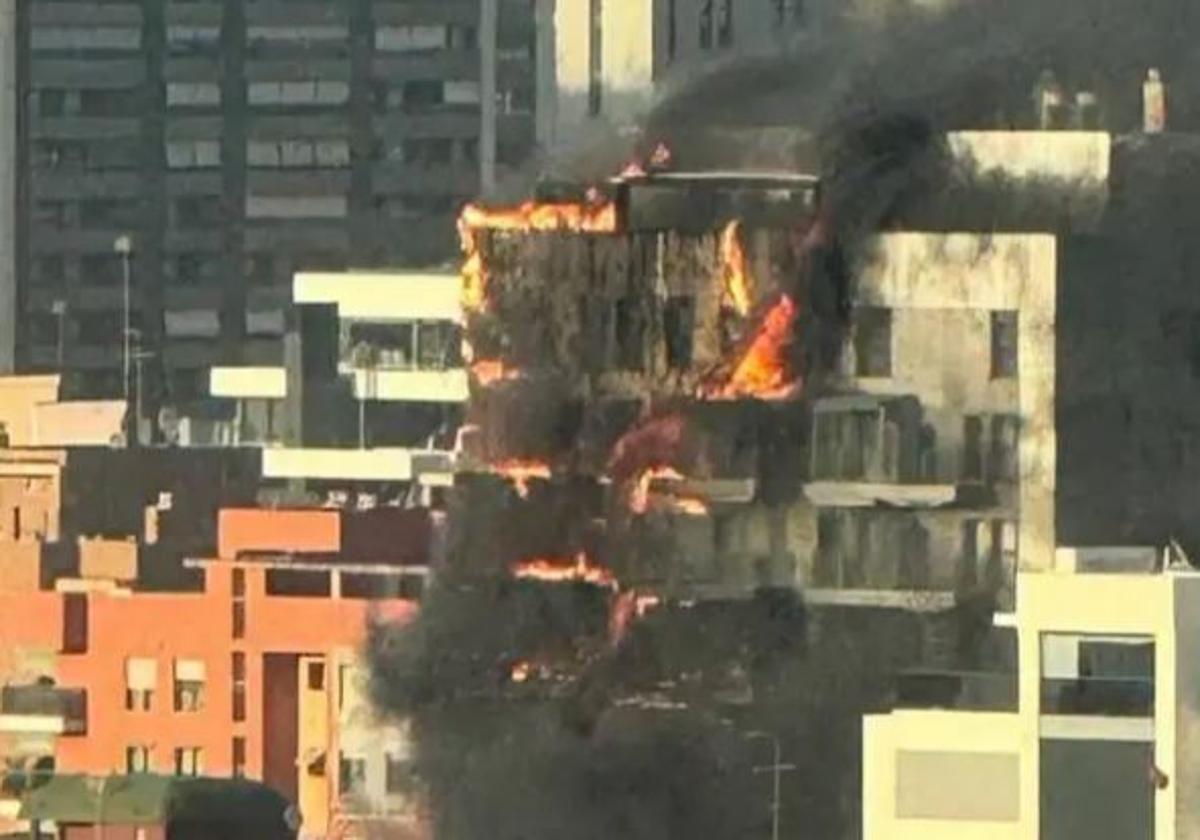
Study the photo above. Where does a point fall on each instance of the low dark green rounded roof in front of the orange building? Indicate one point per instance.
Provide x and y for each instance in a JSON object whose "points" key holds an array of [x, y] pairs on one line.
{"points": [[153, 800]]}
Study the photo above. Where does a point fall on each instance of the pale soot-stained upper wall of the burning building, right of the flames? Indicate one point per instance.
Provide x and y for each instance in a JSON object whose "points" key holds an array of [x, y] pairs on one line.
{"points": [[946, 285]]}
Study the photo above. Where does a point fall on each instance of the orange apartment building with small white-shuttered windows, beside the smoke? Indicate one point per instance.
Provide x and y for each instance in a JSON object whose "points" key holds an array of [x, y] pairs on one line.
{"points": [[99, 680]]}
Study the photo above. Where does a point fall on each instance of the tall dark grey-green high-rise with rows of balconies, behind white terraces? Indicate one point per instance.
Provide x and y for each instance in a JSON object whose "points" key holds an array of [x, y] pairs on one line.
{"points": [[205, 152]]}
